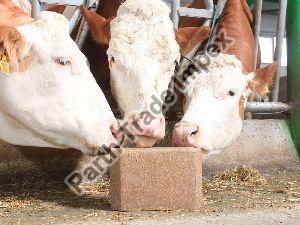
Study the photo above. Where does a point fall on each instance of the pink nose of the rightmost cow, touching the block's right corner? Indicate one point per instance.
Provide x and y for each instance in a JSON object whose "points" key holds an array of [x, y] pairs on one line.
{"points": [[186, 135]]}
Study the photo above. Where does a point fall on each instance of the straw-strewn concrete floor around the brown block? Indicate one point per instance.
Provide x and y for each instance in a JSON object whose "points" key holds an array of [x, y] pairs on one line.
{"points": [[35, 199]]}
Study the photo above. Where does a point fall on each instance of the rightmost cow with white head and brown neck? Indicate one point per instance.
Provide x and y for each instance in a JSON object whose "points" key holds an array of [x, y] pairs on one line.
{"points": [[216, 96]]}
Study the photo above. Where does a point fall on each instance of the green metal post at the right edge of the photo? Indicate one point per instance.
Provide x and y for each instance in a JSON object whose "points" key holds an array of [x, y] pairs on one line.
{"points": [[293, 47]]}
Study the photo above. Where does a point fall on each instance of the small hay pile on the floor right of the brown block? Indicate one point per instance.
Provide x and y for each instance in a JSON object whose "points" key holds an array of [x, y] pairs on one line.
{"points": [[241, 176]]}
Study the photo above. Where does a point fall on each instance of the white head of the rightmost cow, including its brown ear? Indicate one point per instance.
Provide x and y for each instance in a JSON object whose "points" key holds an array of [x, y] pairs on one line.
{"points": [[215, 101]]}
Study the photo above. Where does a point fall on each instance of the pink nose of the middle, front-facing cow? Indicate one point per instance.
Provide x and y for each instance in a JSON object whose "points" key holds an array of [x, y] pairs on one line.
{"points": [[149, 127]]}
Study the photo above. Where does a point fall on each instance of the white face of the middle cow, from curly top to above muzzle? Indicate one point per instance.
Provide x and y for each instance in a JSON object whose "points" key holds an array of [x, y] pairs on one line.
{"points": [[142, 53]]}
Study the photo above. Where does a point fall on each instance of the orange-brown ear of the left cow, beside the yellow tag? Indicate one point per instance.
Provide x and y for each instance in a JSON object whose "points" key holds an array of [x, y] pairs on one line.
{"points": [[12, 48]]}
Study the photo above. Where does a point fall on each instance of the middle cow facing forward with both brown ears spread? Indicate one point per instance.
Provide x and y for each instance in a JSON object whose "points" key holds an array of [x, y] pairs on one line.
{"points": [[143, 50]]}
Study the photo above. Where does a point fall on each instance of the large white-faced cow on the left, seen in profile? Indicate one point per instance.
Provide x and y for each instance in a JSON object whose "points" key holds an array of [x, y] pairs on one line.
{"points": [[49, 97]]}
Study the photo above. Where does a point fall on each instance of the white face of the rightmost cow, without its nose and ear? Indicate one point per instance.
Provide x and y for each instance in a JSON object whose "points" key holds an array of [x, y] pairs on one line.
{"points": [[212, 102]]}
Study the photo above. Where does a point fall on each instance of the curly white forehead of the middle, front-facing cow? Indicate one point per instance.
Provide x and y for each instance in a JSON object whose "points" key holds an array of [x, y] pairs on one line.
{"points": [[147, 36]]}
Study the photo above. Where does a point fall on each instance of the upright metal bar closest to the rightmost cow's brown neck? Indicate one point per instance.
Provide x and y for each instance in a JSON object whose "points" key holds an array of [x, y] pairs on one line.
{"points": [[257, 23]]}
